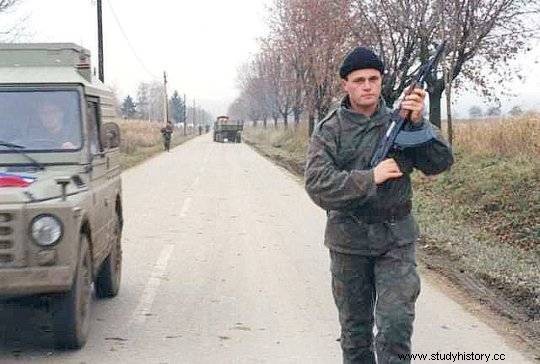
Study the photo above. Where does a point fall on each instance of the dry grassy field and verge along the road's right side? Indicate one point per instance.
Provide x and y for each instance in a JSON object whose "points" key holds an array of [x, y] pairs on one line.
{"points": [[481, 220]]}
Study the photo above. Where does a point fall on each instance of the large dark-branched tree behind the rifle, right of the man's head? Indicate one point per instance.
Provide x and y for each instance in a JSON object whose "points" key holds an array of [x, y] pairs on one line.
{"points": [[483, 37]]}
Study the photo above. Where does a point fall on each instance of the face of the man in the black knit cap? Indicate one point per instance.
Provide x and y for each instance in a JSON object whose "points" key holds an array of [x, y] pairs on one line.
{"points": [[363, 87]]}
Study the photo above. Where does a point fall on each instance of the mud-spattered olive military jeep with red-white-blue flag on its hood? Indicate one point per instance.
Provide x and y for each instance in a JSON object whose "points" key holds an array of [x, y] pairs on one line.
{"points": [[60, 188]]}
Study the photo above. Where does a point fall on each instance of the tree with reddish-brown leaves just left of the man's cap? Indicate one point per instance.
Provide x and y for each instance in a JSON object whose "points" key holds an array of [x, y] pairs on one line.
{"points": [[312, 47]]}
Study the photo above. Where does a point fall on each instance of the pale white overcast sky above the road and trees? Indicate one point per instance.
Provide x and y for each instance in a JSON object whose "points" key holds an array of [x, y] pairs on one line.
{"points": [[200, 43]]}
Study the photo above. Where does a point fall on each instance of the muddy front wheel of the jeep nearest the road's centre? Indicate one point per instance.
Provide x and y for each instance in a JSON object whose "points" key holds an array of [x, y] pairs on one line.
{"points": [[71, 310]]}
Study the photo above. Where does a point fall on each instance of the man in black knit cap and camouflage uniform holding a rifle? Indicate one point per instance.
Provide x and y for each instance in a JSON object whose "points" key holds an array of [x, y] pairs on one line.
{"points": [[370, 230]]}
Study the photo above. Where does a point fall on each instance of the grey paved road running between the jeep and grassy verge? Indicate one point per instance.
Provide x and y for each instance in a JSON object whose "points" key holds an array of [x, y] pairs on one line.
{"points": [[224, 263]]}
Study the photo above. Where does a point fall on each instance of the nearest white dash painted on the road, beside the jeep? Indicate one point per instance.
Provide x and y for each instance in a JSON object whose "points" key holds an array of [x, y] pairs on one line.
{"points": [[147, 299]]}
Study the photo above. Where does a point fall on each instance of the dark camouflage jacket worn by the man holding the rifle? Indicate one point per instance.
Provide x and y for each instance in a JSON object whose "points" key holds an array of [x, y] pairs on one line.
{"points": [[338, 179]]}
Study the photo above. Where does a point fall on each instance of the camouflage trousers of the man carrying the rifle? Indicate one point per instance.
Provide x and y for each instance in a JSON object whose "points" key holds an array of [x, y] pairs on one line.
{"points": [[380, 291]]}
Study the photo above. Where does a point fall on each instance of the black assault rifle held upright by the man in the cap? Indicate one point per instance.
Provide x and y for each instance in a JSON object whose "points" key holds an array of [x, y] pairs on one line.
{"points": [[395, 137]]}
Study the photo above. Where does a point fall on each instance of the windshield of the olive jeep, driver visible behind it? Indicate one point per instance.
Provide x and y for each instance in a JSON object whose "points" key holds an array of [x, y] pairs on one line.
{"points": [[40, 120]]}
